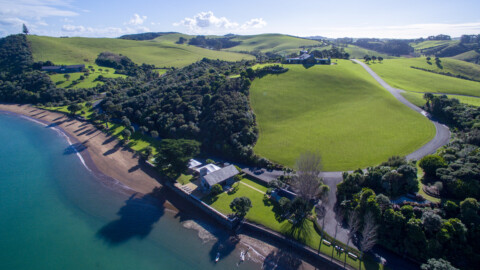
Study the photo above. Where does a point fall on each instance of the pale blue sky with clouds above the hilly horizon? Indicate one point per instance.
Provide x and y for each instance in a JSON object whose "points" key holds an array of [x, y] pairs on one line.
{"points": [[346, 18]]}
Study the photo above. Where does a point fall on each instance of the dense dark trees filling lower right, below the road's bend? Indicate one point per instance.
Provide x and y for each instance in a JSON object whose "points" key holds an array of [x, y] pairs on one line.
{"points": [[420, 229]]}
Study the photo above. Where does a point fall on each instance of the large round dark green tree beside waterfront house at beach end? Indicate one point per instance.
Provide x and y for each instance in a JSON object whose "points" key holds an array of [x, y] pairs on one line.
{"points": [[173, 155]]}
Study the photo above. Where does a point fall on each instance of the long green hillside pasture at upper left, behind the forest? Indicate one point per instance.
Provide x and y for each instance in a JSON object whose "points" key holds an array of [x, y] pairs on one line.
{"points": [[160, 53]]}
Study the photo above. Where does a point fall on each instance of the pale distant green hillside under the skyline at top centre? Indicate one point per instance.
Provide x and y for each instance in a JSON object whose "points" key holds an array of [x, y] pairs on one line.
{"points": [[272, 43]]}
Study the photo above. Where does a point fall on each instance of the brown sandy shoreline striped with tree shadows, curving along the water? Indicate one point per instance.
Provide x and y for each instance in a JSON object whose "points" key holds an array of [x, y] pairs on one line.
{"points": [[120, 169]]}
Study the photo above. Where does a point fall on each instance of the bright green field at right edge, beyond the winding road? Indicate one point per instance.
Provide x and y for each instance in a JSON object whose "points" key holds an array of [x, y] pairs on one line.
{"points": [[399, 74]]}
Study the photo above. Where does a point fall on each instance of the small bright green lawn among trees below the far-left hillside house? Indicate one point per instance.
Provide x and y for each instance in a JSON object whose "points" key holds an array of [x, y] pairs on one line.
{"points": [[90, 81]]}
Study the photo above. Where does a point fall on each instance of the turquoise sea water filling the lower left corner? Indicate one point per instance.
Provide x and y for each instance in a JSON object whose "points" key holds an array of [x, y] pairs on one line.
{"points": [[54, 214]]}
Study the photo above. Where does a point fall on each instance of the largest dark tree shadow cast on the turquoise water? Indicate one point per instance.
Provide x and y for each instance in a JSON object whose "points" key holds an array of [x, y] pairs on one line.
{"points": [[137, 217]]}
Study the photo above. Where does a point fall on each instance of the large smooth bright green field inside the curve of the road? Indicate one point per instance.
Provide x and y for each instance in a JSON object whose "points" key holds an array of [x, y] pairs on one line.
{"points": [[338, 110]]}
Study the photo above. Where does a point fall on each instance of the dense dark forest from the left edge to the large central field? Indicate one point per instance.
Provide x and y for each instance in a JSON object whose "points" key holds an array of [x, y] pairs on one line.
{"points": [[198, 102]]}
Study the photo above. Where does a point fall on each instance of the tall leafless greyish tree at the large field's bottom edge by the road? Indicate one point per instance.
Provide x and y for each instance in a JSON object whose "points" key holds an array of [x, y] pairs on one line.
{"points": [[307, 183]]}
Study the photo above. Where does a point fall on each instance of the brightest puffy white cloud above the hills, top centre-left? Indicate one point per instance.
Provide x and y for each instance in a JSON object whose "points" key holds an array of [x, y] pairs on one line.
{"points": [[207, 22]]}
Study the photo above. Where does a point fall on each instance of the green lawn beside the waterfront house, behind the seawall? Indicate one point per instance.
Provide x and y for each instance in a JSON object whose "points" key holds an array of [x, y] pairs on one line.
{"points": [[262, 212]]}
